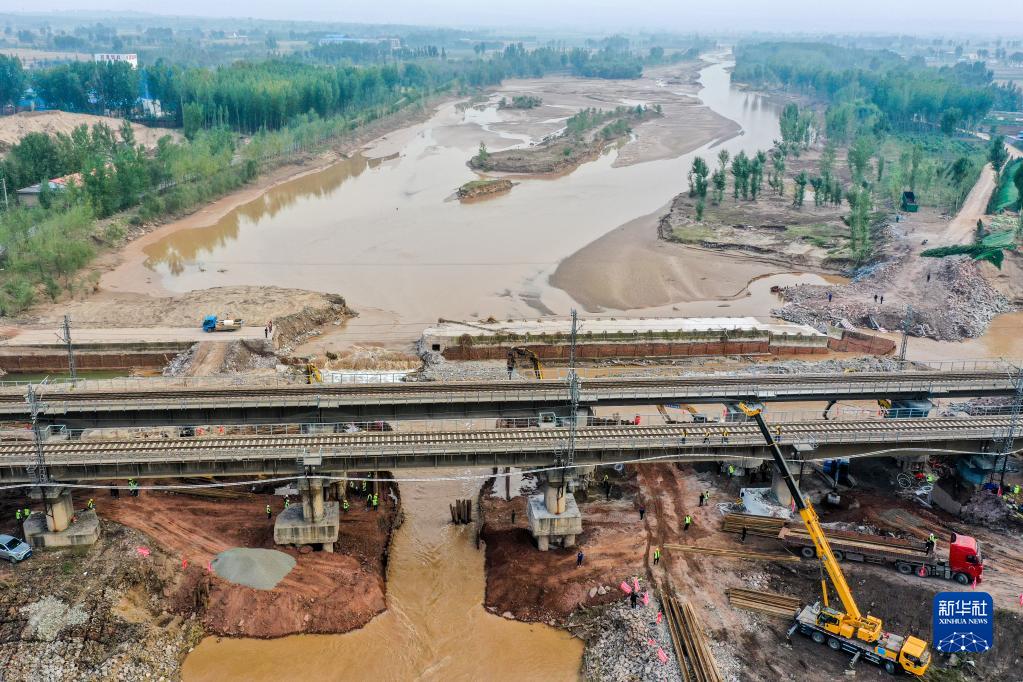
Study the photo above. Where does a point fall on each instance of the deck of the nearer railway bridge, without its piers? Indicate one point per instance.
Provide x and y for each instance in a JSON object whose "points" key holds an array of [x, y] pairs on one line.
{"points": [[361, 451]]}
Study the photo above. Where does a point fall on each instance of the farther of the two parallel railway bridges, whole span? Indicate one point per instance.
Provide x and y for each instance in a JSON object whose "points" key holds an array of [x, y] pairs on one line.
{"points": [[189, 402]]}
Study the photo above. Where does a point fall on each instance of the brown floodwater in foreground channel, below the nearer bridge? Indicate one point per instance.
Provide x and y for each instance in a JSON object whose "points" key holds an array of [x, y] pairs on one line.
{"points": [[435, 627]]}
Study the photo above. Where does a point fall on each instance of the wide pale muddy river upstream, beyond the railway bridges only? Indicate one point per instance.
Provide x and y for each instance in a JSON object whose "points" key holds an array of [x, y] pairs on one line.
{"points": [[382, 229]]}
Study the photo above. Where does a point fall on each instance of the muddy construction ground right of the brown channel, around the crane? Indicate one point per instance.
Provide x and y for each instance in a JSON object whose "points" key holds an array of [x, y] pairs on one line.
{"points": [[747, 647]]}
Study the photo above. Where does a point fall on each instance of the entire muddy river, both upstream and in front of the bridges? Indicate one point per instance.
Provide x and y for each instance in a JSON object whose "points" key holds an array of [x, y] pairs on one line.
{"points": [[382, 230]]}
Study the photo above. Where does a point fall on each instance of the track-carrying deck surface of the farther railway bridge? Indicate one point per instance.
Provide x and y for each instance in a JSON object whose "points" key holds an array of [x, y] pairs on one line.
{"points": [[433, 396]]}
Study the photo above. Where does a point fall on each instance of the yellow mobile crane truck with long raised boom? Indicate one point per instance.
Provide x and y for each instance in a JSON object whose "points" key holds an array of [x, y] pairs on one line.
{"points": [[851, 630]]}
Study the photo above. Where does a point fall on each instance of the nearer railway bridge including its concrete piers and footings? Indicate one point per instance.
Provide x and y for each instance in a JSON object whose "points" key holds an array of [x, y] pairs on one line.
{"points": [[241, 451]]}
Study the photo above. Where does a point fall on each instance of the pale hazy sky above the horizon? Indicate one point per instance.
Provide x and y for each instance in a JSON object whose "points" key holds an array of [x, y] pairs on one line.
{"points": [[918, 17]]}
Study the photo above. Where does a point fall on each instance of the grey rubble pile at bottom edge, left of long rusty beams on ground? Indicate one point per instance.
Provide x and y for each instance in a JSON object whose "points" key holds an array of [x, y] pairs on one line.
{"points": [[622, 650]]}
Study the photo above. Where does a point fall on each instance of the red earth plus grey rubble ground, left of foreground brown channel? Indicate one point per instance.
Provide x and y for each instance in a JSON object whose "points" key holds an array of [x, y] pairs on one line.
{"points": [[110, 610]]}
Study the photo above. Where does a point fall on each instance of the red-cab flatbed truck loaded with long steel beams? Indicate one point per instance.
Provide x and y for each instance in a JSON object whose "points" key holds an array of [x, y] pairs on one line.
{"points": [[960, 562]]}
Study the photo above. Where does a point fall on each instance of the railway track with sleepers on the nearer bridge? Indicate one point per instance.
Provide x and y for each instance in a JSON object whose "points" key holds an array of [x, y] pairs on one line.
{"points": [[664, 437]]}
